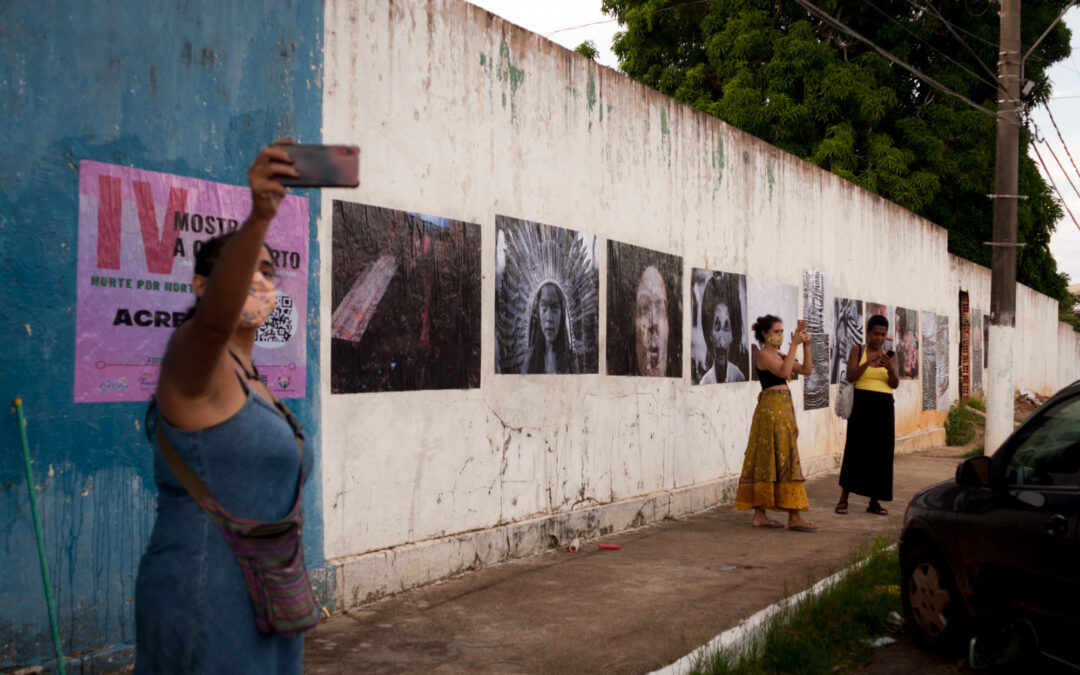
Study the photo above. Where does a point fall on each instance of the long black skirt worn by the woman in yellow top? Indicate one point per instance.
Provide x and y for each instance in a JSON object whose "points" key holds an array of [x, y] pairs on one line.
{"points": [[868, 452]]}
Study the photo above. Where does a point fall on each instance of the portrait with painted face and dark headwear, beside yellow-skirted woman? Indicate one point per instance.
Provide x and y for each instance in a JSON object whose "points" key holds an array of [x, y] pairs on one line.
{"points": [[720, 329]]}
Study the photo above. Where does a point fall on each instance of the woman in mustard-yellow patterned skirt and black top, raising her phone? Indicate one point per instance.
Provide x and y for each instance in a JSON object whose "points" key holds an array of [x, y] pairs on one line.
{"points": [[772, 477]]}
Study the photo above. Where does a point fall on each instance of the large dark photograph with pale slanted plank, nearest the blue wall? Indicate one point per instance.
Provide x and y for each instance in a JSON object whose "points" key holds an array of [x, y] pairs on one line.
{"points": [[407, 296]]}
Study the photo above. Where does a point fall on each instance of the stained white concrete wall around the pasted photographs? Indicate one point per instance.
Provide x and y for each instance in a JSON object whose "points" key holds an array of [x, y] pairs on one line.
{"points": [[462, 115]]}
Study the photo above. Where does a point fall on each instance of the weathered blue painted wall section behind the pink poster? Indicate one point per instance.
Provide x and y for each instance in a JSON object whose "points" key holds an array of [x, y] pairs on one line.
{"points": [[188, 88]]}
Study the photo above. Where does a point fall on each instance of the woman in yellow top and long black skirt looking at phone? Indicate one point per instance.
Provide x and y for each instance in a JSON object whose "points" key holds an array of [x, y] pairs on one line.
{"points": [[869, 449]]}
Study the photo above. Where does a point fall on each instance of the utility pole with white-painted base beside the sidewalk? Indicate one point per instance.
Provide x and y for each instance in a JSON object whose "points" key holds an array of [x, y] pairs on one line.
{"points": [[1000, 394]]}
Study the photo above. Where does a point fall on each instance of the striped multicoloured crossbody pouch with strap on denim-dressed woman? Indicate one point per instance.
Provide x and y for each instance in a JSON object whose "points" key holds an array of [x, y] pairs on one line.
{"points": [[271, 555]]}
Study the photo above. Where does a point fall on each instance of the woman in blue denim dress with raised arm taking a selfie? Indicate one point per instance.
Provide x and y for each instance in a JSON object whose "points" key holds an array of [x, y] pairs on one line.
{"points": [[224, 447]]}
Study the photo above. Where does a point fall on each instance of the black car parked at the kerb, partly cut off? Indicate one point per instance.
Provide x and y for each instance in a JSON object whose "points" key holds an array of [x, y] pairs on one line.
{"points": [[998, 546]]}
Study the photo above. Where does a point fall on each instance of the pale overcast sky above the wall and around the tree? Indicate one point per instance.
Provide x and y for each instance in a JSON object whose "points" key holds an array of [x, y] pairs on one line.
{"points": [[572, 22]]}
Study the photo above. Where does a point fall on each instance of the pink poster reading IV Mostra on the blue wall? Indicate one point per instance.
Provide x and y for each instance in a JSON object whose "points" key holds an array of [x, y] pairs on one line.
{"points": [[139, 233]]}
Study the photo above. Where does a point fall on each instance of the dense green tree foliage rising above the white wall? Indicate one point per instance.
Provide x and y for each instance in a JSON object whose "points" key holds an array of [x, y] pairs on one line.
{"points": [[776, 71]]}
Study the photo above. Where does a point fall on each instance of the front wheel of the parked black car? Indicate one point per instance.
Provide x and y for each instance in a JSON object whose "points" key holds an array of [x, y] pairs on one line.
{"points": [[933, 606]]}
